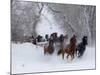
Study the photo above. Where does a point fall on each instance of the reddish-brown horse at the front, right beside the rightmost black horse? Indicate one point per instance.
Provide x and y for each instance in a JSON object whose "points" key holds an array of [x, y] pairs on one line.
{"points": [[71, 48]]}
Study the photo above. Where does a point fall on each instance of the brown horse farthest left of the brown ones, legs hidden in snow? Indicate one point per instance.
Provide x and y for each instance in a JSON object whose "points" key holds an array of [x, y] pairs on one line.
{"points": [[50, 48]]}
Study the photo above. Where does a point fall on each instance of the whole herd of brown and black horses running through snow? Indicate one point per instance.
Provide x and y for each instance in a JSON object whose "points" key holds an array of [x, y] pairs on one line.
{"points": [[71, 49]]}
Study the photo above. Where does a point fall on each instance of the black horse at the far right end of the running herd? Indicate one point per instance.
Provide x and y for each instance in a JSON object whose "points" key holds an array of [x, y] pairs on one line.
{"points": [[82, 46]]}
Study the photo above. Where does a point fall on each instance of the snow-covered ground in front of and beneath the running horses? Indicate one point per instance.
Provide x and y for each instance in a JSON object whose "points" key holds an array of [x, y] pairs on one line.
{"points": [[28, 58]]}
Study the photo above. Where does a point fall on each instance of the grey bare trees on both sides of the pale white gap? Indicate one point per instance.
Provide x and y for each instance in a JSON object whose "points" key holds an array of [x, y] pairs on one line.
{"points": [[73, 19]]}
